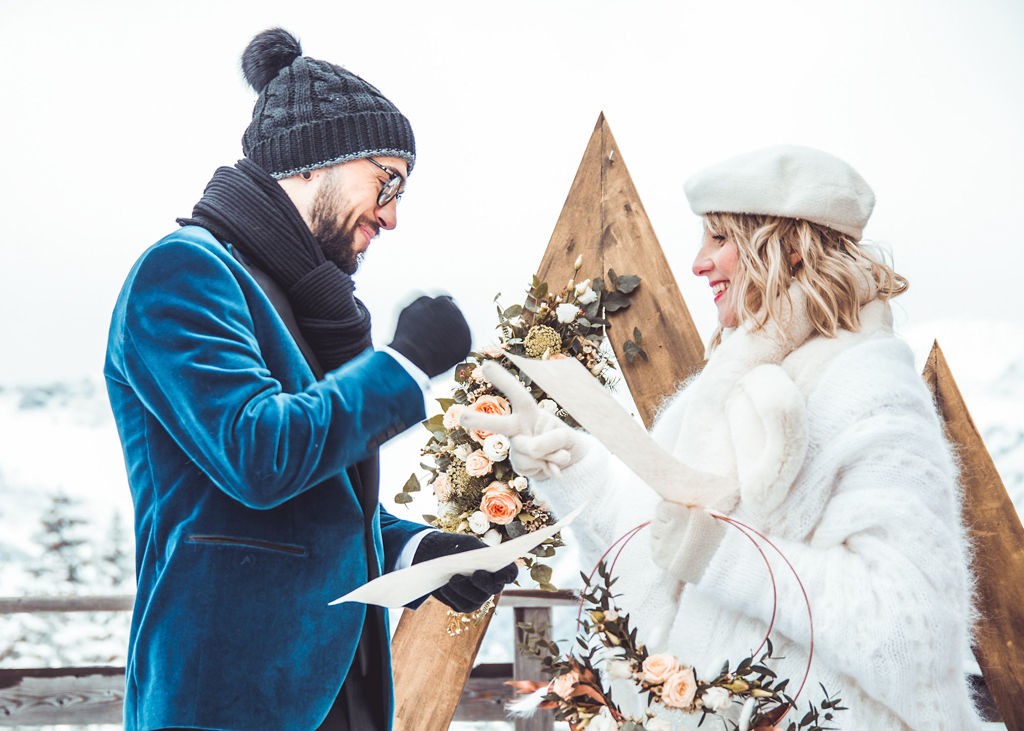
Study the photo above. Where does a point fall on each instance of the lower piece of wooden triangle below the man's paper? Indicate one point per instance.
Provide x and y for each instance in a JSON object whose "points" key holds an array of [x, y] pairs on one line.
{"points": [[431, 667]]}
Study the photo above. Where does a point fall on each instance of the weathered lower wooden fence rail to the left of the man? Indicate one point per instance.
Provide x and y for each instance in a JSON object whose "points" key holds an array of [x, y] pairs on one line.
{"points": [[44, 697]]}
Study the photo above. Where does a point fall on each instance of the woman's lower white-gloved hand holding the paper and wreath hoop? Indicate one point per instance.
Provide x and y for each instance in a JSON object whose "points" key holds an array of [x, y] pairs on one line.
{"points": [[684, 540]]}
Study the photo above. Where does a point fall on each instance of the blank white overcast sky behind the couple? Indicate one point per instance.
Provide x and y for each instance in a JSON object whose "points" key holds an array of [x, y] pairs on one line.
{"points": [[116, 114]]}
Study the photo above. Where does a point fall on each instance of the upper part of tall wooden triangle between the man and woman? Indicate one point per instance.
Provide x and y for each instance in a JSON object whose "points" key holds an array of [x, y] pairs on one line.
{"points": [[605, 221]]}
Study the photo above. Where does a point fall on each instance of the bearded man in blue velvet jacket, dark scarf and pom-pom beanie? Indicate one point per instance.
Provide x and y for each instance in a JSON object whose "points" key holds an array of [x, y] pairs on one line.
{"points": [[251, 406]]}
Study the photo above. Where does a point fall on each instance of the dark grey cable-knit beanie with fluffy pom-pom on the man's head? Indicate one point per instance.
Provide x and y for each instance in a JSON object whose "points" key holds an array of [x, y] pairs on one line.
{"points": [[312, 114]]}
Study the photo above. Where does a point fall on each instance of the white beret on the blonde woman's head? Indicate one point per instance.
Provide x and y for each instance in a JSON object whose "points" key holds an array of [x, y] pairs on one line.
{"points": [[791, 182]]}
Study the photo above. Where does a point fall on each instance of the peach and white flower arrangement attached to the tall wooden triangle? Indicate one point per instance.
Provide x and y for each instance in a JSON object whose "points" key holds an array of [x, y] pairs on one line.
{"points": [[478, 491]]}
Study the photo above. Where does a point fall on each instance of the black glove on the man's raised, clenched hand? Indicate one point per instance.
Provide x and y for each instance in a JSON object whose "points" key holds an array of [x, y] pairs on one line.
{"points": [[434, 334]]}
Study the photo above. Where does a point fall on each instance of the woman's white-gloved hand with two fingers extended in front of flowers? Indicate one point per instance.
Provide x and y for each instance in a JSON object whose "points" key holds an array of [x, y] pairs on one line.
{"points": [[540, 443]]}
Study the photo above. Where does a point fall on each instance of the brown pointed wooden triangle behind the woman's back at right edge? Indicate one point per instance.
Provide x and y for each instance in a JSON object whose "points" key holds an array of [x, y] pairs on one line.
{"points": [[999, 545]]}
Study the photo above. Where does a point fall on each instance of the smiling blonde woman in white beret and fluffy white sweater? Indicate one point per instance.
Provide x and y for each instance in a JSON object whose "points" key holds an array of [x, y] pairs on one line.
{"points": [[813, 411]]}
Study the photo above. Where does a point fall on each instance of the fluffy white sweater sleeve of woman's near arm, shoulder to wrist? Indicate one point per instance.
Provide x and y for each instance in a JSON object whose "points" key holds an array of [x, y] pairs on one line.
{"points": [[873, 528]]}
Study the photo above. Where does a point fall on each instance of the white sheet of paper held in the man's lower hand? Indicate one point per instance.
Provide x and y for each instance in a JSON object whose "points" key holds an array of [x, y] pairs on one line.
{"points": [[400, 588]]}
